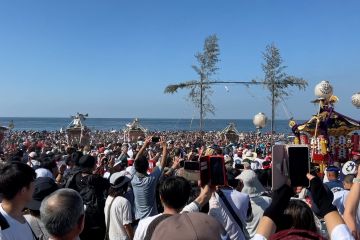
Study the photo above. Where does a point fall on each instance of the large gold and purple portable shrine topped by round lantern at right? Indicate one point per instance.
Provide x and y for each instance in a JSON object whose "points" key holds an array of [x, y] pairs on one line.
{"points": [[331, 136]]}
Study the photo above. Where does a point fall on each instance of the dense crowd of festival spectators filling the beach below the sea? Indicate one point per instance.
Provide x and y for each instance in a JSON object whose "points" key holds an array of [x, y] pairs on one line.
{"points": [[114, 189]]}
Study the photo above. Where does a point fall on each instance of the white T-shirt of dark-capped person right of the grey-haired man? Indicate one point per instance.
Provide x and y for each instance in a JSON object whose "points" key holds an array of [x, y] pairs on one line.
{"points": [[120, 215]]}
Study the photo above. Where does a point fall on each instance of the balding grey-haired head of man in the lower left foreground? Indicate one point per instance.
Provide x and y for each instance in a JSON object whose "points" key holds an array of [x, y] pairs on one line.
{"points": [[61, 211]]}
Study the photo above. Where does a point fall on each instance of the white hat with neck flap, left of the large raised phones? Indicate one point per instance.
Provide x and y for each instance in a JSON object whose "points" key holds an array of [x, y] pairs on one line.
{"points": [[252, 185]]}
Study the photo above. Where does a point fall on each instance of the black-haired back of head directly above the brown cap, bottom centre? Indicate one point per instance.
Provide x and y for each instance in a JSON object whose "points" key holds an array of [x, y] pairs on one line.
{"points": [[175, 192]]}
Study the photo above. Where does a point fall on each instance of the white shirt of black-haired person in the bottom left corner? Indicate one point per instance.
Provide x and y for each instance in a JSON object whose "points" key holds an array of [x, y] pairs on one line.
{"points": [[16, 230]]}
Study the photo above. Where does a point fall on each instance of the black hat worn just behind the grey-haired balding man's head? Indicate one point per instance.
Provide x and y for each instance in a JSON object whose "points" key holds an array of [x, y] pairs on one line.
{"points": [[44, 186]]}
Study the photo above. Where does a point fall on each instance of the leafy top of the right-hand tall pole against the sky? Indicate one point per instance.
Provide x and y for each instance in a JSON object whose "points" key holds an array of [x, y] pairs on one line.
{"points": [[276, 80]]}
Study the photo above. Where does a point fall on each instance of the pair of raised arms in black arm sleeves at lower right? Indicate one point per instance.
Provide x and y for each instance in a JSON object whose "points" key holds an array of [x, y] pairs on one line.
{"points": [[274, 215]]}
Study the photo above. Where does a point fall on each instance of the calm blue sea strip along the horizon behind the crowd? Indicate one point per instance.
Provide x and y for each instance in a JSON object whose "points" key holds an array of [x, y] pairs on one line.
{"points": [[53, 124]]}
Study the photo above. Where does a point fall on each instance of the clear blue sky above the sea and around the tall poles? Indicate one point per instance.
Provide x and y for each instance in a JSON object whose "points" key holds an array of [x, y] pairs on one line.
{"points": [[114, 58]]}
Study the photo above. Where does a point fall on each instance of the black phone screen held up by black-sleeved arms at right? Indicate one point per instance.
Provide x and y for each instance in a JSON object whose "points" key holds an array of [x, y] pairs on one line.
{"points": [[299, 165]]}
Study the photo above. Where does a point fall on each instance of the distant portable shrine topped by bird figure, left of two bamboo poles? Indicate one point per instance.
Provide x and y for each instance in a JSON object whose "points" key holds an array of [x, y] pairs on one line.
{"points": [[77, 132]]}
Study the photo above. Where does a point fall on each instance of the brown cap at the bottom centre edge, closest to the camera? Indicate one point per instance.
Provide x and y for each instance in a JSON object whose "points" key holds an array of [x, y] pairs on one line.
{"points": [[194, 225]]}
